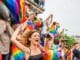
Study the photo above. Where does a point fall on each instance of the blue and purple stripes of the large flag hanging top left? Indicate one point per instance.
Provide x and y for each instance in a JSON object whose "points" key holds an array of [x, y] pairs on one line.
{"points": [[13, 6]]}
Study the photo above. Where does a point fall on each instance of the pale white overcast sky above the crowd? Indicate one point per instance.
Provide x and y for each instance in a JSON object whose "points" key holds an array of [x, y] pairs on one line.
{"points": [[66, 12]]}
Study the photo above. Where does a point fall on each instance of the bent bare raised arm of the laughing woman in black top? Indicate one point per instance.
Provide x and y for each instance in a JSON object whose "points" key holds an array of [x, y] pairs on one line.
{"points": [[18, 44]]}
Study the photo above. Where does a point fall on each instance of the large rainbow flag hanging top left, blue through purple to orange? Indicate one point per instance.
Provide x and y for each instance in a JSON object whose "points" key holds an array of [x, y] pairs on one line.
{"points": [[17, 9]]}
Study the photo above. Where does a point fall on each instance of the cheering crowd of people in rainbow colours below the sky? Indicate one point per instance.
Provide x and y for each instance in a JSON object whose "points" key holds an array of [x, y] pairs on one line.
{"points": [[34, 39]]}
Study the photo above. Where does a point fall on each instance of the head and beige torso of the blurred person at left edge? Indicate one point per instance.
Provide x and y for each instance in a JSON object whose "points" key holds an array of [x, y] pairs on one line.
{"points": [[4, 39]]}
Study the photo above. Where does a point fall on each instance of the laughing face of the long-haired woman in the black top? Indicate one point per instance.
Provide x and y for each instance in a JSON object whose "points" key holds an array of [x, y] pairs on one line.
{"points": [[35, 38]]}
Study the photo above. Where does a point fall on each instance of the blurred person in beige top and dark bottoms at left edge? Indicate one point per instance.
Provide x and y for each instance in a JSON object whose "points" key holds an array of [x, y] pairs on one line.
{"points": [[5, 40]]}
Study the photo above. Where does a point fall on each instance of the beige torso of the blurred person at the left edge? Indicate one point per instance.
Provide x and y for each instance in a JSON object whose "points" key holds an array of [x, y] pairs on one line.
{"points": [[5, 44]]}
